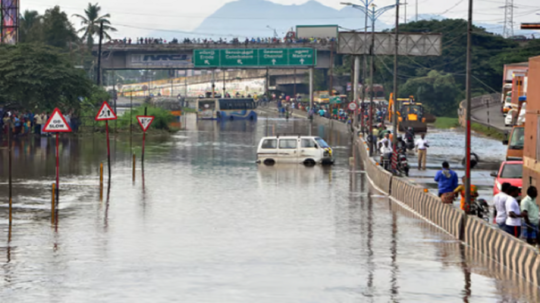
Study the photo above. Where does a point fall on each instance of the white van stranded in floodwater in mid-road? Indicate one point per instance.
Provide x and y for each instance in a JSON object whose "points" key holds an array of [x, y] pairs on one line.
{"points": [[294, 149]]}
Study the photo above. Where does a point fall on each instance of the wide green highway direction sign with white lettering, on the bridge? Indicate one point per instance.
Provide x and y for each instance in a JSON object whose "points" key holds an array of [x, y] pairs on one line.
{"points": [[244, 57]]}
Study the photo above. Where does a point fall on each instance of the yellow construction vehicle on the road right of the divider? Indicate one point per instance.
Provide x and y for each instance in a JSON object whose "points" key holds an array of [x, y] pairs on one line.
{"points": [[409, 114]]}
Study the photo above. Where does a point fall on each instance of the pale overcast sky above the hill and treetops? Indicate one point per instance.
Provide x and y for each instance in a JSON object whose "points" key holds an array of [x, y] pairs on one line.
{"points": [[186, 15]]}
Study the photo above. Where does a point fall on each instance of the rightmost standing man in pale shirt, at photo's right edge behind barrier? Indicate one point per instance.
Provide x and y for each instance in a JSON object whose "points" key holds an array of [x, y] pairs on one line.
{"points": [[529, 210]]}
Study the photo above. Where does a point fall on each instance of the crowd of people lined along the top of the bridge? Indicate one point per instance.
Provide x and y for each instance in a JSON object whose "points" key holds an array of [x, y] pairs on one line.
{"points": [[233, 41]]}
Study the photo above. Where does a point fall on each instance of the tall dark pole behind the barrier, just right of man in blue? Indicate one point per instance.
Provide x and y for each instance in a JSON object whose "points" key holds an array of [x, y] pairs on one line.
{"points": [[468, 113]]}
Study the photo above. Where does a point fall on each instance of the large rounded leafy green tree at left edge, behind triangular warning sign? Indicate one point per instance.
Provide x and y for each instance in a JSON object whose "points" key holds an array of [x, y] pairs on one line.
{"points": [[38, 77]]}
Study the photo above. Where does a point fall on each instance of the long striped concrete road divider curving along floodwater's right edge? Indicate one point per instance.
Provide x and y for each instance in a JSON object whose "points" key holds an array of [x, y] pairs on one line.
{"points": [[515, 254]]}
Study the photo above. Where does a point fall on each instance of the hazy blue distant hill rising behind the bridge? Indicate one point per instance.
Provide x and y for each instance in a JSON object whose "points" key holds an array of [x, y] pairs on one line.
{"points": [[250, 18]]}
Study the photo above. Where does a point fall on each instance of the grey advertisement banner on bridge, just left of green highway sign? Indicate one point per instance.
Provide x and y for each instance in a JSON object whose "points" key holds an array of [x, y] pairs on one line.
{"points": [[159, 60]]}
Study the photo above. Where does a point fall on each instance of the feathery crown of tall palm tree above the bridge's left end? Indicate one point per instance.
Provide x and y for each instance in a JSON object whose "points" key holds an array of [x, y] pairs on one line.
{"points": [[91, 22]]}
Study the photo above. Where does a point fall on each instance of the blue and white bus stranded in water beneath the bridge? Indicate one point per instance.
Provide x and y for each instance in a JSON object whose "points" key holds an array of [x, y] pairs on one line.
{"points": [[226, 109]]}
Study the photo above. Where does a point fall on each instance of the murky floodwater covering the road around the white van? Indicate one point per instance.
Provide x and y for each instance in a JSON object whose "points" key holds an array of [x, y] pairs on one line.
{"points": [[204, 223]]}
